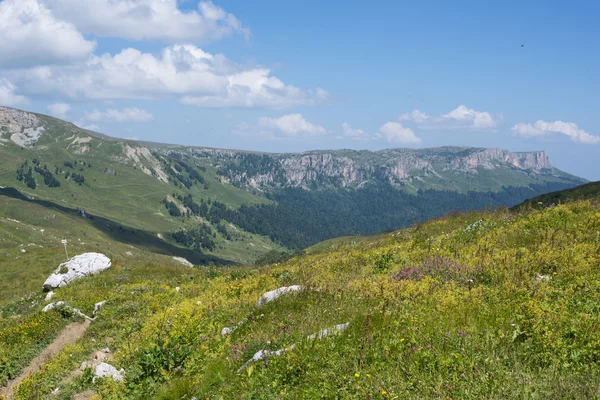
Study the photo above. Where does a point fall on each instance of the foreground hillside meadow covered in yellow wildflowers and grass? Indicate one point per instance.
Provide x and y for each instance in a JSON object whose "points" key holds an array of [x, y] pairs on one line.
{"points": [[431, 333]]}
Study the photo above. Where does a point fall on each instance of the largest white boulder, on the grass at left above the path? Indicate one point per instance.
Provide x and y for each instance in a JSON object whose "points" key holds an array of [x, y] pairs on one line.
{"points": [[77, 267]]}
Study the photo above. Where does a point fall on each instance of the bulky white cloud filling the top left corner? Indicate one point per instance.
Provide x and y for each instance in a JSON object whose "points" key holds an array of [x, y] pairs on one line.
{"points": [[31, 35]]}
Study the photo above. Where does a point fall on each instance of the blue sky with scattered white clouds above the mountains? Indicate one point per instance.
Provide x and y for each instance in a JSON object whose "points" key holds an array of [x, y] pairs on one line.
{"points": [[288, 76]]}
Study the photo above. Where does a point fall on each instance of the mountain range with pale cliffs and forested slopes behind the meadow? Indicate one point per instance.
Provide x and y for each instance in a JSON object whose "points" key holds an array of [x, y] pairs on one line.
{"points": [[237, 205]]}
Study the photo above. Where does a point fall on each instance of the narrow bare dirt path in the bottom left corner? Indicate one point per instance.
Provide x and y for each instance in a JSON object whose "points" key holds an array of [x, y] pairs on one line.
{"points": [[68, 336]]}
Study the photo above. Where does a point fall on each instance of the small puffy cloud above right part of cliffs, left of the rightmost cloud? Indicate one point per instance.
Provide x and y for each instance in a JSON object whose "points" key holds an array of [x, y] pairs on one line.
{"points": [[461, 117]]}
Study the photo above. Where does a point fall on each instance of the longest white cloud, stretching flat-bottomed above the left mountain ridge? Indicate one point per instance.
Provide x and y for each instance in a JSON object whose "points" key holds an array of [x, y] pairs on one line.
{"points": [[186, 71]]}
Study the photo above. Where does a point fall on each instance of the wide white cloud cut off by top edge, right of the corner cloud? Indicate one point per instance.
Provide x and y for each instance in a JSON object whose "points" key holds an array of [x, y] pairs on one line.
{"points": [[148, 19]]}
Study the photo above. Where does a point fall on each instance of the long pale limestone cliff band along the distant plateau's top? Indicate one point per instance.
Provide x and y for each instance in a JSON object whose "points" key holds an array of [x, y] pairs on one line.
{"points": [[345, 168]]}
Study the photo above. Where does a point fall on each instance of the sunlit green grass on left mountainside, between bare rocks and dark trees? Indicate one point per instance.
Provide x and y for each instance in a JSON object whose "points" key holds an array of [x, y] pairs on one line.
{"points": [[130, 197]]}
